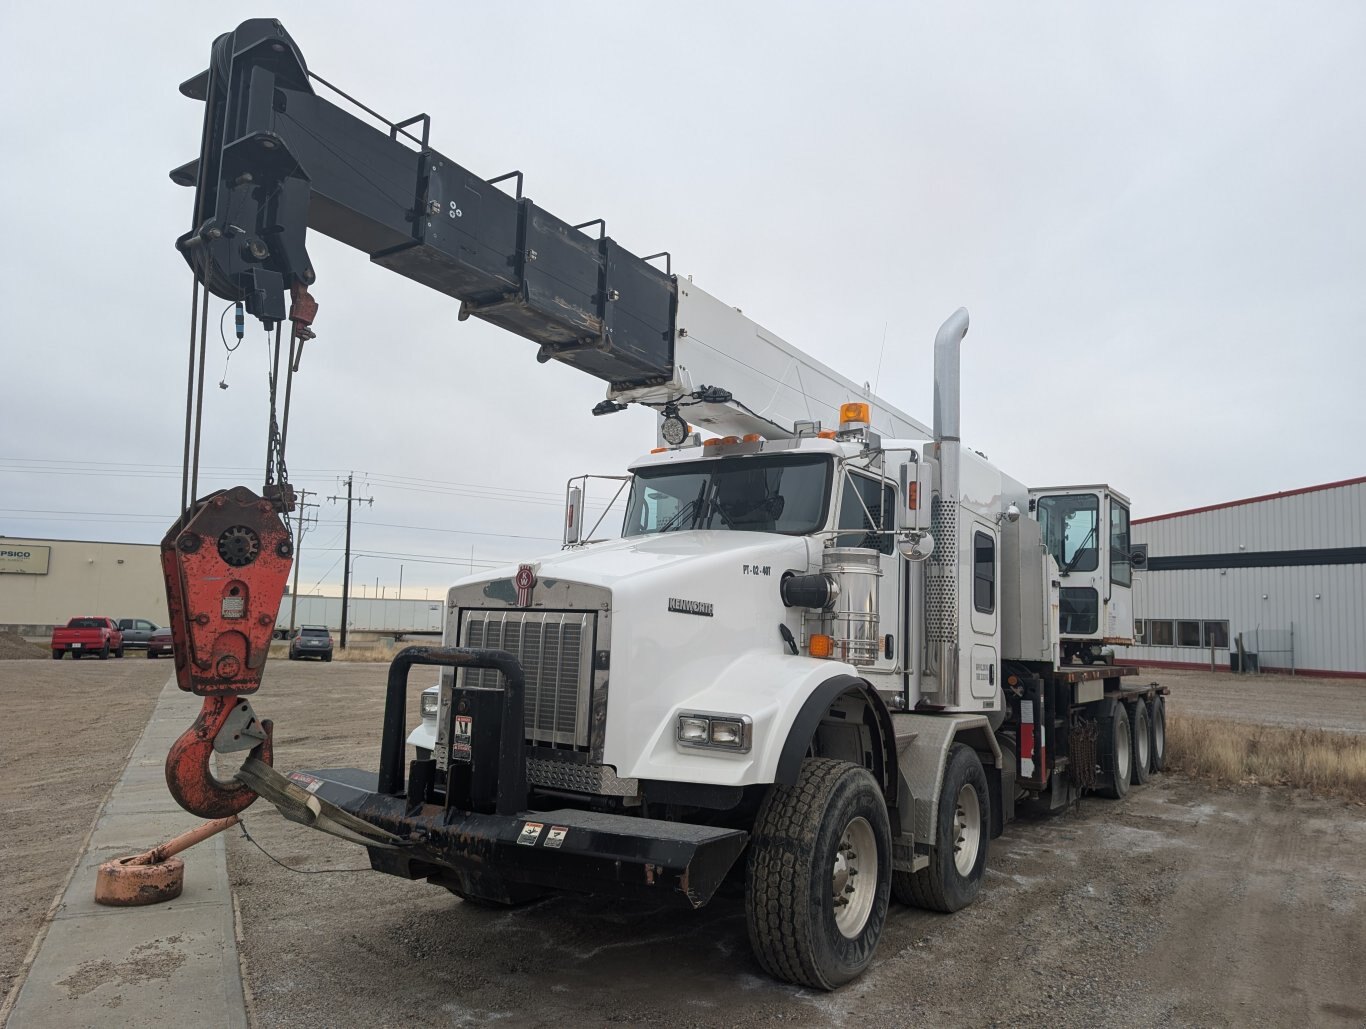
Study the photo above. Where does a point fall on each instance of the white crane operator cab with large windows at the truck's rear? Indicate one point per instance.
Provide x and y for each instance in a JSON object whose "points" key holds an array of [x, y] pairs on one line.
{"points": [[1087, 531]]}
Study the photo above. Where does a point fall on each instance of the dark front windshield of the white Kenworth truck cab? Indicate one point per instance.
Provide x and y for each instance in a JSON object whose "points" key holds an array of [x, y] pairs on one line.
{"points": [[785, 494]]}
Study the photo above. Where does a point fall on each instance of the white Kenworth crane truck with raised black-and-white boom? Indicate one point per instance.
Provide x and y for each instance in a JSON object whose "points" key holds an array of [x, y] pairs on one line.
{"points": [[826, 661]]}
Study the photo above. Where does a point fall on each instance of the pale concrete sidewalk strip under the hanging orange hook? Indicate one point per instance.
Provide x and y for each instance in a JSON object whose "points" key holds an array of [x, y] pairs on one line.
{"points": [[166, 965]]}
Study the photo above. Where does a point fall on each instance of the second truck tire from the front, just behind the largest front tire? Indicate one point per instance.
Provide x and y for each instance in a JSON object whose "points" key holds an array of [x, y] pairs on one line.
{"points": [[962, 833]]}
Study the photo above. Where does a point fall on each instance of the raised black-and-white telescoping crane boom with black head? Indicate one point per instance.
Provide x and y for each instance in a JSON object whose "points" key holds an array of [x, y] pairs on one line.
{"points": [[277, 159]]}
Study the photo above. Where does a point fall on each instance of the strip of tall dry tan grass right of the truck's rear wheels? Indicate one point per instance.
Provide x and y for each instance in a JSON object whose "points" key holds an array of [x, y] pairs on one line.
{"points": [[1331, 765]]}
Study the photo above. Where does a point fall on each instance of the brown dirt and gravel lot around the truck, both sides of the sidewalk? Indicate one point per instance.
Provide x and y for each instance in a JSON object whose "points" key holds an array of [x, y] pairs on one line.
{"points": [[1177, 907]]}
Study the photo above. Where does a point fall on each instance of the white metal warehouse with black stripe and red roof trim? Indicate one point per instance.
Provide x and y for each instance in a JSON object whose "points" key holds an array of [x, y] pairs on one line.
{"points": [[1272, 583]]}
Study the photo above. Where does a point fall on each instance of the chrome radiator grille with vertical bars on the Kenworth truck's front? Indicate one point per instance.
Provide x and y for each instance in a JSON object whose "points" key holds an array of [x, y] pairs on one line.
{"points": [[555, 650]]}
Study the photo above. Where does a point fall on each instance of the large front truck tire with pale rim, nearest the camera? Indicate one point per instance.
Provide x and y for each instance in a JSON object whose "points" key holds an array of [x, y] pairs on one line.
{"points": [[820, 873]]}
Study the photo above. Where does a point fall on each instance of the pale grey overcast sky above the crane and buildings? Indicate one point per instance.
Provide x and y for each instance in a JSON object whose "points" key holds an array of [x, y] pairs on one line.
{"points": [[1154, 214]]}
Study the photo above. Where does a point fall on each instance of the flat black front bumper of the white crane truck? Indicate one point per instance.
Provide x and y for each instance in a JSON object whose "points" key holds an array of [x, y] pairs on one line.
{"points": [[514, 857]]}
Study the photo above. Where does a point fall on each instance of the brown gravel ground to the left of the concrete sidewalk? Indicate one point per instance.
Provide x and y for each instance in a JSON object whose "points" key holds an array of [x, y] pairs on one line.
{"points": [[53, 789]]}
